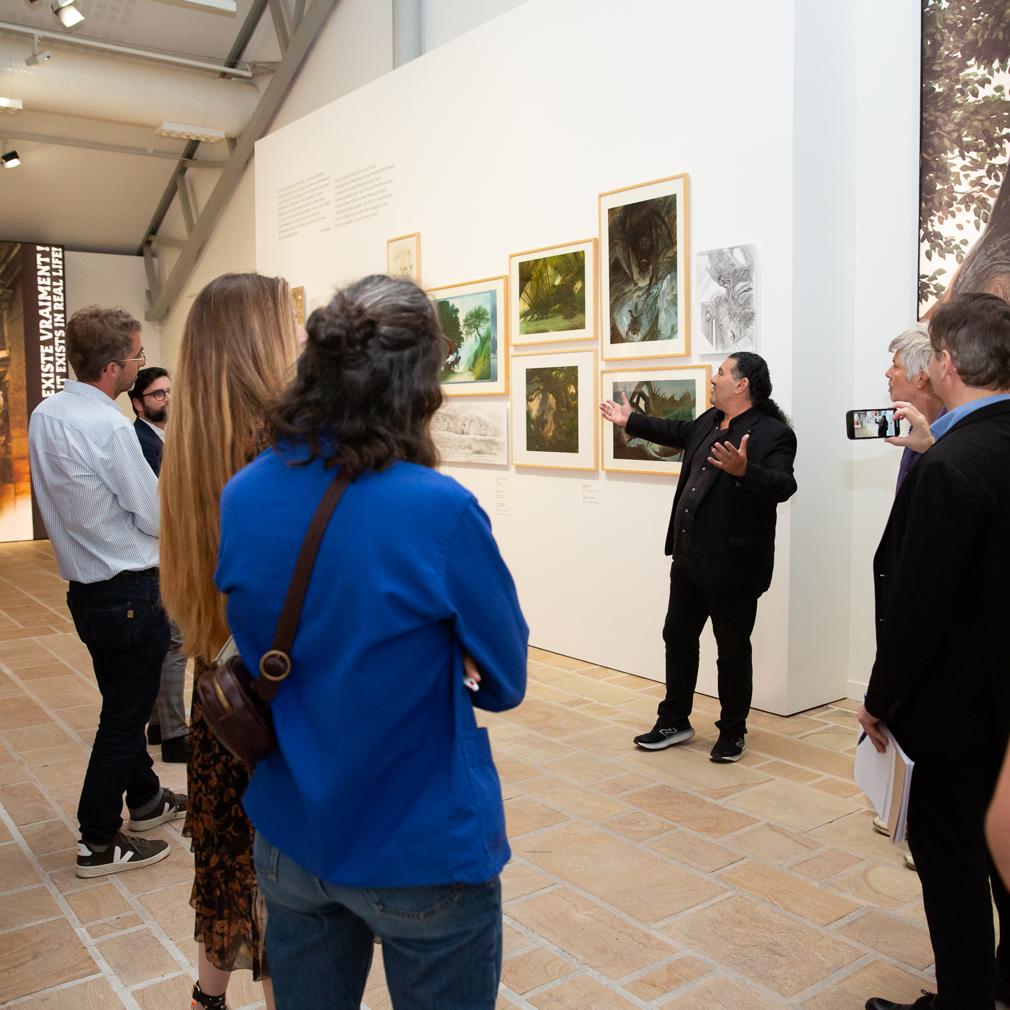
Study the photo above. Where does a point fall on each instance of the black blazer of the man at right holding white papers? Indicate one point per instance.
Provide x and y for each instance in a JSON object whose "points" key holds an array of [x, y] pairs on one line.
{"points": [[942, 576]]}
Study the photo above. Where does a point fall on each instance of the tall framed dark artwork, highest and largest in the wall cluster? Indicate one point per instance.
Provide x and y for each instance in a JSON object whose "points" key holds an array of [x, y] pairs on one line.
{"points": [[645, 292]]}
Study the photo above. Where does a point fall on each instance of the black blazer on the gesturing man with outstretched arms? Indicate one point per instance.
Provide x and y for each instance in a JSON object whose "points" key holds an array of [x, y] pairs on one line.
{"points": [[735, 524]]}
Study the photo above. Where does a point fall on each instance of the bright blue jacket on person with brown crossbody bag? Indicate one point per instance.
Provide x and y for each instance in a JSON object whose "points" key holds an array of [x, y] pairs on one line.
{"points": [[382, 777]]}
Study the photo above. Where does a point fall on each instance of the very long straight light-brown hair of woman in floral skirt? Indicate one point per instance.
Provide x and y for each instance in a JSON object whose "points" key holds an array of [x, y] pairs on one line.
{"points": [[237, 353]]}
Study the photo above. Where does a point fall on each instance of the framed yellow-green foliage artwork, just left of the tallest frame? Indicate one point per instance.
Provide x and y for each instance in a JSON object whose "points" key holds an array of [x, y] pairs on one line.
{"points": [[554, 294]]}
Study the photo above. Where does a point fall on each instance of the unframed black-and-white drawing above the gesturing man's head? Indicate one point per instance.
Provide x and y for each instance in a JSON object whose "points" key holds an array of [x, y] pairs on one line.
{"points": [[725, 321]]}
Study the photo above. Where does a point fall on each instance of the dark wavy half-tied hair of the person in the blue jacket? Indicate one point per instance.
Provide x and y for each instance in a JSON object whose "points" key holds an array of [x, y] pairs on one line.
{"points": [[367, 383]]}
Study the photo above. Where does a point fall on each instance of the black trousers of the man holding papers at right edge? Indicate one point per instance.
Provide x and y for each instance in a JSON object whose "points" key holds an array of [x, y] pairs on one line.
{"points": [[946, 834]]}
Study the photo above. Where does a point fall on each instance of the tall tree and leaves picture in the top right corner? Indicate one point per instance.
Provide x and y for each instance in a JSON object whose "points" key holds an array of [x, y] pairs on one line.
{"points": [[964, 198]]}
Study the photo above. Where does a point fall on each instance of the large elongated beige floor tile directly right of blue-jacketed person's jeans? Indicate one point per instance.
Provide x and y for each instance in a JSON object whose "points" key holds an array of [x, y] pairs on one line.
{"points": [[590, 934]]}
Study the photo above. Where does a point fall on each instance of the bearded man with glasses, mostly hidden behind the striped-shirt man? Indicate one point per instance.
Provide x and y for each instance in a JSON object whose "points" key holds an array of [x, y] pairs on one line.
{"points": [[150, 397]]}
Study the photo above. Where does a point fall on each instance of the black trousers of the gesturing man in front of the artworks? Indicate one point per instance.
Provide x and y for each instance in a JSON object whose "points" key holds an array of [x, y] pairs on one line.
{"points": [[733, 622]]}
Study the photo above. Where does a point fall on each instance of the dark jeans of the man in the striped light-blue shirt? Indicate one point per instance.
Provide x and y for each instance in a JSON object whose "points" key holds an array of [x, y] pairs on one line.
{"points": [[123, 625]]}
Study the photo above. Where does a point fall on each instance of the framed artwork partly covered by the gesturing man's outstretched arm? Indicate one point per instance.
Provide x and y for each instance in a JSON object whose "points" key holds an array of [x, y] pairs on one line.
{"points": [[677, 394]]}
